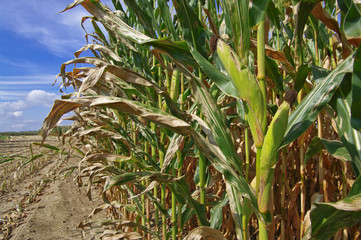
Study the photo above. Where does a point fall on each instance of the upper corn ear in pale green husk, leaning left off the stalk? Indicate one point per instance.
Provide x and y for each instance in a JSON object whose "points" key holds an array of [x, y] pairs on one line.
{"points": [[247, 86]]}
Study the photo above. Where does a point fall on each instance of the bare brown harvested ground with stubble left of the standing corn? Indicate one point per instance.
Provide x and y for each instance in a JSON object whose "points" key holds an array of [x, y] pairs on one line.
{"points": [[36, 202]]}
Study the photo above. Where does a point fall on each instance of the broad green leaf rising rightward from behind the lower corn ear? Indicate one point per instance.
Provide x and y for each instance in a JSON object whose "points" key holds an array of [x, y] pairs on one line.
{"points": [[306, 112]]}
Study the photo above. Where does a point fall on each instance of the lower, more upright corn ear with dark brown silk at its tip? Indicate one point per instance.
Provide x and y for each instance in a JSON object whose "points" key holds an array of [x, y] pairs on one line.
{"points": [[272, 142]]}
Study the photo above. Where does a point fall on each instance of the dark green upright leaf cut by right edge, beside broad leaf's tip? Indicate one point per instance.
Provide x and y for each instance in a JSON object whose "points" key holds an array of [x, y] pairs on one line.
{"points": [[356, 90]]}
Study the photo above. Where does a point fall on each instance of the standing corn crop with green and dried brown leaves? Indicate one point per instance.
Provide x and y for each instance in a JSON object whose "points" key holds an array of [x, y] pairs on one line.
{"points": [[218, 119]]}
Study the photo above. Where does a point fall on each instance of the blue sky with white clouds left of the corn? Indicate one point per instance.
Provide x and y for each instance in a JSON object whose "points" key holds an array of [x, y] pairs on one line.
{"points": [[34, 41]]}
